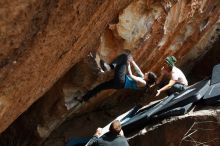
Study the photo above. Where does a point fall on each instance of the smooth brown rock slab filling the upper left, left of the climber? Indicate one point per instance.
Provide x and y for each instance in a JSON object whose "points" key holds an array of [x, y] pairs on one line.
{"points": [[42, 40]]}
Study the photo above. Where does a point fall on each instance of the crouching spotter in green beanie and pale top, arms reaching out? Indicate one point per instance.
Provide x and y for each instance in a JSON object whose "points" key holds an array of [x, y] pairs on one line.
{"points": [[172, 78]]}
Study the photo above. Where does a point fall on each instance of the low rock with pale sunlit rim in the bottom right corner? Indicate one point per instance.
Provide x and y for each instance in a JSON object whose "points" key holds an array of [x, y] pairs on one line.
{"points": [[196, 128]]}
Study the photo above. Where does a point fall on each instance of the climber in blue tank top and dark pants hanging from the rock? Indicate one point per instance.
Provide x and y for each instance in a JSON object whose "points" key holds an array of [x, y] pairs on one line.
{"points": [[123, 77]]}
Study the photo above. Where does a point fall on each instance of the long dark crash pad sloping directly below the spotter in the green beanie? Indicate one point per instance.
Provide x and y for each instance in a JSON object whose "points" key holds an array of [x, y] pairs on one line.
{"points": [[176, 101]]}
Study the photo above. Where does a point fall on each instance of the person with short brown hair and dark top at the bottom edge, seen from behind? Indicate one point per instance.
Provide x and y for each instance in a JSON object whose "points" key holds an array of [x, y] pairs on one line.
{"points": [[111, 138]]}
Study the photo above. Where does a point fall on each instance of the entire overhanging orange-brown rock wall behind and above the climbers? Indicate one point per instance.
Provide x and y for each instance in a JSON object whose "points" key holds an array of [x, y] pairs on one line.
{"points": [[44, 48]]}
